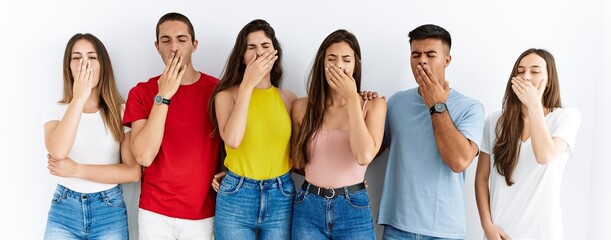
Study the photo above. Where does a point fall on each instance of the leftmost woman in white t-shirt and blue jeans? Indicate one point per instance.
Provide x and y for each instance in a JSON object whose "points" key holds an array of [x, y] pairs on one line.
{"points": [[88, 148]]}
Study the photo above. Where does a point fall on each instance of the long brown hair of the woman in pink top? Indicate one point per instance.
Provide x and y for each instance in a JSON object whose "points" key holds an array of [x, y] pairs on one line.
{"points": [[319, 91]]}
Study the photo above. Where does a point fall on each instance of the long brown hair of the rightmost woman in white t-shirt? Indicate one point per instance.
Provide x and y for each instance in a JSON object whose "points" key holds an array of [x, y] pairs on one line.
{"points": [[510, 124]]}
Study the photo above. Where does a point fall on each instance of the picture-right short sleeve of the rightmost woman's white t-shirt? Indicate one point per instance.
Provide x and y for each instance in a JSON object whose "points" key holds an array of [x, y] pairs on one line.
{"points": [[565, 125]]}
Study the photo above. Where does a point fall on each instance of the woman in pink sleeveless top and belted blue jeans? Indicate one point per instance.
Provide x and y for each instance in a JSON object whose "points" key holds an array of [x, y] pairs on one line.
{"points": [[335, 136]]}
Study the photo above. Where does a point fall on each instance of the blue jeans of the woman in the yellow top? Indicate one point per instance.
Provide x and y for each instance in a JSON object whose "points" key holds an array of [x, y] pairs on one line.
{"points": [[245, 205]]}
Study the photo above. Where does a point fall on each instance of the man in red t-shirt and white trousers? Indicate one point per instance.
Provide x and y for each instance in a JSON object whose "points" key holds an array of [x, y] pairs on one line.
{"points": [[171, 137]]}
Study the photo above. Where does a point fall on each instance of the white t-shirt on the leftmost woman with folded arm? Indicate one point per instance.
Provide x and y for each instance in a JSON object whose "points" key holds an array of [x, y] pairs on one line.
{"points": [[94, 144]]}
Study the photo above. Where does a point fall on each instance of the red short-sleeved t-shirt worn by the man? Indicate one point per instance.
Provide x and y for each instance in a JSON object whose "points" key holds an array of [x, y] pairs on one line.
{"points": [[177, 183]]}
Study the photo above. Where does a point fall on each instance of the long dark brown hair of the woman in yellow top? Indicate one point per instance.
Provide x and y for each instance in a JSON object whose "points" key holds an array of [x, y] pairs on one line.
{"points": [[235, 67]]}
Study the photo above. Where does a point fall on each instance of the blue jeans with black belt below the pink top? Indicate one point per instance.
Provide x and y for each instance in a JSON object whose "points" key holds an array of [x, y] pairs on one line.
{"points": [[341, 217]]}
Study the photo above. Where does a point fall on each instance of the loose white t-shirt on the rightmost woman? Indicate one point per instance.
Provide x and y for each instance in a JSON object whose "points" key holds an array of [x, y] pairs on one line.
{"points": [[530, 208]]}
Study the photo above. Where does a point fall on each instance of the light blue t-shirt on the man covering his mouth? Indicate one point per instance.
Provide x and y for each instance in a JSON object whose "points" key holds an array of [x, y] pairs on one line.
{"points": [[421, 193]]}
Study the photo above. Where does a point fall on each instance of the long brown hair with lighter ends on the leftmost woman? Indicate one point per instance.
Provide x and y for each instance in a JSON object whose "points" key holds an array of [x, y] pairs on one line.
{"points": [[110, 100]]}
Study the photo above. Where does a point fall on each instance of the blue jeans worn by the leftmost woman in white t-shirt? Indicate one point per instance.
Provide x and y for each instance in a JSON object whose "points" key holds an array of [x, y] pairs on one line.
{"points": [[75, 215]]}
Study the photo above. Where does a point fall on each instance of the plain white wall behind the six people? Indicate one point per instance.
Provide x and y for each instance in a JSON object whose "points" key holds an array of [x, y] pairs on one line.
{"points": [[487, 37]]}
